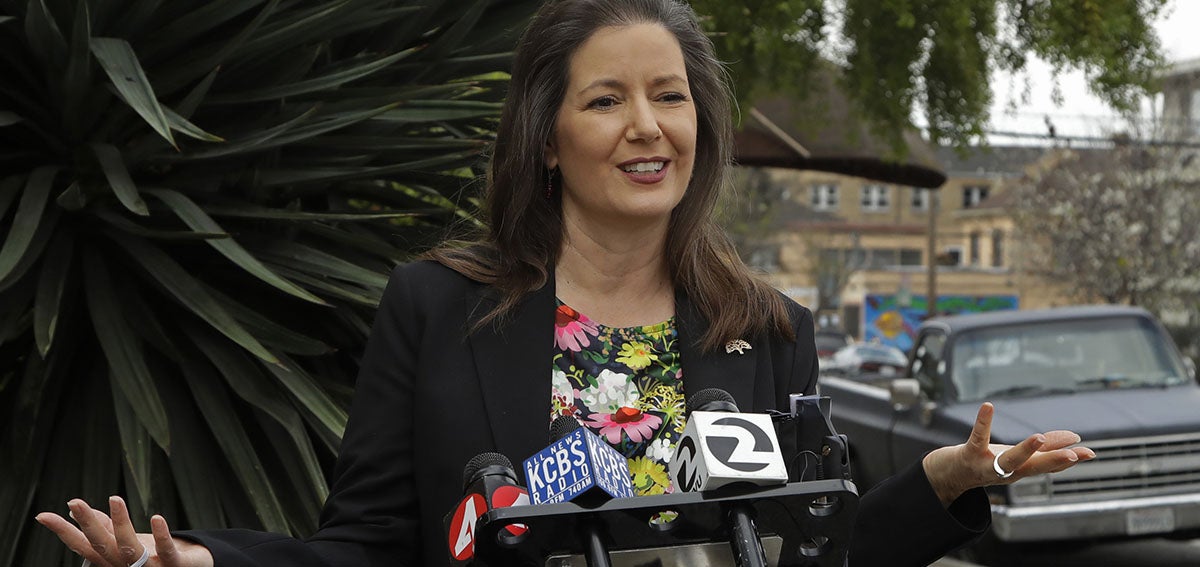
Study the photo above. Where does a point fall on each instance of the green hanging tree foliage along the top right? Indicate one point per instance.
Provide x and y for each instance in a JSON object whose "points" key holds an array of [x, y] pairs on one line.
{"points": [[933, 58]]}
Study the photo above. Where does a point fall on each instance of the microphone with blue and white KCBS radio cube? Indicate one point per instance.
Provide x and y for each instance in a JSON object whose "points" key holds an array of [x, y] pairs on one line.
{"points": [[577, 463]]}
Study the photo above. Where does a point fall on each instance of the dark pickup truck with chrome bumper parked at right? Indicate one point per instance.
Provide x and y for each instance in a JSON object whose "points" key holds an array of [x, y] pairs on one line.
{"points": [[1109, 373]]}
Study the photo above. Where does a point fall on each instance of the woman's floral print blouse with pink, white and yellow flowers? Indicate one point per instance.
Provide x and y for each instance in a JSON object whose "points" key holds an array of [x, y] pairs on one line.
{"points": [[626, 385]]}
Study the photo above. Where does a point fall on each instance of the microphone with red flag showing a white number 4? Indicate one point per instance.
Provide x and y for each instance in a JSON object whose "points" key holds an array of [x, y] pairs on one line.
{"points": [[489, 482]]}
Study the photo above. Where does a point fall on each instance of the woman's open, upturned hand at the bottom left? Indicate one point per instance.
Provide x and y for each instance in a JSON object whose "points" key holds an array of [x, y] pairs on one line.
{"points": [[110, 540]]}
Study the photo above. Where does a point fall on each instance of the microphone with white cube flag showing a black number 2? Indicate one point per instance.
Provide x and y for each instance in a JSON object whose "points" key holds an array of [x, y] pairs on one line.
{"points": [[721, 447]]}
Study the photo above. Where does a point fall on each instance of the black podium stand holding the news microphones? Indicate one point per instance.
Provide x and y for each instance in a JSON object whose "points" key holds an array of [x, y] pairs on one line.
{"points": [[800, 524]]}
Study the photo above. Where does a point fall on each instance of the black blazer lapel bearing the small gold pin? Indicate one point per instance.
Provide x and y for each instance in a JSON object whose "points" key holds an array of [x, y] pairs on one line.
{"points": [[716, 369]]}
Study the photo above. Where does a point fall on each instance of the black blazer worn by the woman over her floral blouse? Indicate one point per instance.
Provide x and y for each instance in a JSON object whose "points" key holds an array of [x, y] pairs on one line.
{"points": [[431, 396]]}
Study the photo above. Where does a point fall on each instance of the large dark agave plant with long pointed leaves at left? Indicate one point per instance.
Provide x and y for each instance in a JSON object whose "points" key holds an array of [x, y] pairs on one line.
{"points": [[200, 206]]}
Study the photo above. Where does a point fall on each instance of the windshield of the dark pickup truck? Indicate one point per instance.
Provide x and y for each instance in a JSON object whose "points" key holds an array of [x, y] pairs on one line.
{"points": [[1064, 357]]}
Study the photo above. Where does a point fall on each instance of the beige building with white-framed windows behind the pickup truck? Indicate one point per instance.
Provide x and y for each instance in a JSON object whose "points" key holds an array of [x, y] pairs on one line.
{"points": [[842, 241]]}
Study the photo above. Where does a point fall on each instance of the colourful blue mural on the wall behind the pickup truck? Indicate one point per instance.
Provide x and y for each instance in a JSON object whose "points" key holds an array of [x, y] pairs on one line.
{"points": [[890, 321]]}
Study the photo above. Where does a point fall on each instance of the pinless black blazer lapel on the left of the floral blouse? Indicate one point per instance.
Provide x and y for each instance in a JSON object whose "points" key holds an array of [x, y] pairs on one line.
{"points": [[514, 366]]}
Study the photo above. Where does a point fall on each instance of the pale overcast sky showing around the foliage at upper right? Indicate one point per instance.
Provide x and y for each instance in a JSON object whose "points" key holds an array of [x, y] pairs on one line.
{"points": [[1082, 114]]}
